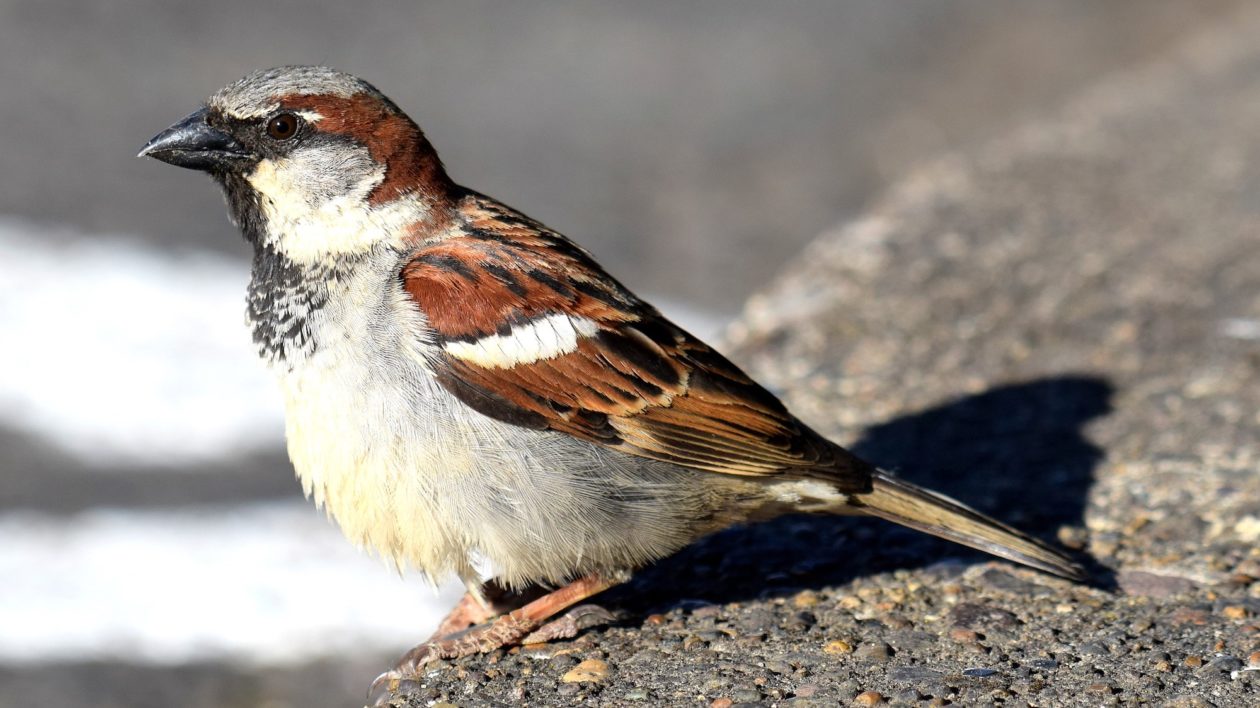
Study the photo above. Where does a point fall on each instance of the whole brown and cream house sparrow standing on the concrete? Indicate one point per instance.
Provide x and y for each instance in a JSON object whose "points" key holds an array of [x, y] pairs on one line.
{"points": [[463, 384]]}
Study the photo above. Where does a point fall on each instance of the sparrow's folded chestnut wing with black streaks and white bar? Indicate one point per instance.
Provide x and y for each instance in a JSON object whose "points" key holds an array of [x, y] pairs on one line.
{"points": [[565, 347]]}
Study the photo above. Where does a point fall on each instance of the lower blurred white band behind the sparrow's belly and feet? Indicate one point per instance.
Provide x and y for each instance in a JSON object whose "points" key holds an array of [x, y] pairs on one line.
{"points": [[272, 584]]}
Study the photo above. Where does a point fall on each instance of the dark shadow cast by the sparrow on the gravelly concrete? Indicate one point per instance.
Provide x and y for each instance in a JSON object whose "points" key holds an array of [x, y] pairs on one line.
{"points": [[1016, 453]]}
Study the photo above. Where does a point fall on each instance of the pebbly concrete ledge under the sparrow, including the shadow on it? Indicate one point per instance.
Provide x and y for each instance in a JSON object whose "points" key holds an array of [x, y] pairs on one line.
{"points": [[1063, 329]]}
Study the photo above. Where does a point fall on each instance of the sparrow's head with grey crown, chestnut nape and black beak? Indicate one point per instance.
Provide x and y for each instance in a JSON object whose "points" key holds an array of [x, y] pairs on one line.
{"points": [[316, 163]]}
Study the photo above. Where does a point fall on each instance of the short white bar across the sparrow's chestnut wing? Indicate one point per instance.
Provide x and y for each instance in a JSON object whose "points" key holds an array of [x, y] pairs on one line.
{"points": [[545, 338]]}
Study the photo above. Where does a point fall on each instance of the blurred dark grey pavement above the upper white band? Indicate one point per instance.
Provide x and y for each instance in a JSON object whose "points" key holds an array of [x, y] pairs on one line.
{"points": [[692, 148]]}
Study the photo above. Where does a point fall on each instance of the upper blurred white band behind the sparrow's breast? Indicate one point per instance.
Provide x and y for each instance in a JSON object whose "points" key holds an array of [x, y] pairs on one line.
{"points": [[119, 353]]}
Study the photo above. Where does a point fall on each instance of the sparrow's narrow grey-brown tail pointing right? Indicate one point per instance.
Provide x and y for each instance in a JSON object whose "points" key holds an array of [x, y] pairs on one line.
{"points": [[910, 506]]}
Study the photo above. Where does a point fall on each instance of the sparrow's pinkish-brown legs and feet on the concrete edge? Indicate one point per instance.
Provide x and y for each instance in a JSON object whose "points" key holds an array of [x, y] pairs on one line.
{"points": [[506, 629]]}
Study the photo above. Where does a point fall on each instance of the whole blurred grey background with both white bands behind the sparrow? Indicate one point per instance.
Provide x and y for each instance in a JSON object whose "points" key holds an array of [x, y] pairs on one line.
{"points": [[154, 549]]}
